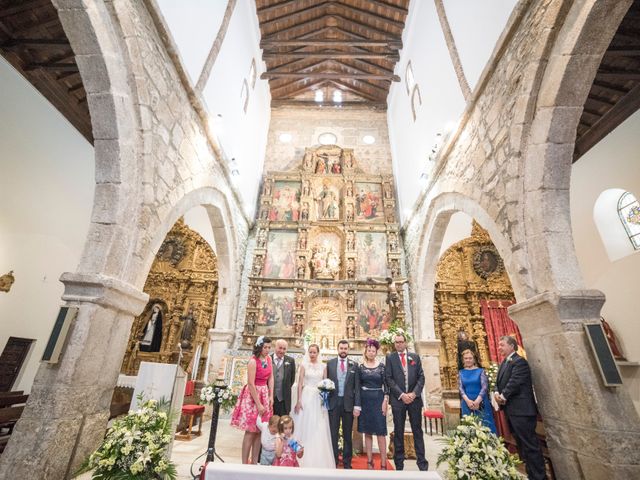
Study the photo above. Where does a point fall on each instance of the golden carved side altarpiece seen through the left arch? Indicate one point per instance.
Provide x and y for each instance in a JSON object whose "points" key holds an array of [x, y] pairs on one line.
{"points": [[183, 283]]}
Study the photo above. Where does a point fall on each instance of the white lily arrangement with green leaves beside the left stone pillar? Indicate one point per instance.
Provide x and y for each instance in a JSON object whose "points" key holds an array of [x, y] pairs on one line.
{"points": [[134, 448]]}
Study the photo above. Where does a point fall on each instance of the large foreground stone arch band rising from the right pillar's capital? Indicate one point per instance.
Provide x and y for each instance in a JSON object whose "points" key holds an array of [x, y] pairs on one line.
{"points": [[585, 32]]}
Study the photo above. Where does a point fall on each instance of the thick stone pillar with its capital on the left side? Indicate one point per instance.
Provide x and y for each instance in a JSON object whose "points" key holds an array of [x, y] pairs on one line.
{"points": [[68, 408]]}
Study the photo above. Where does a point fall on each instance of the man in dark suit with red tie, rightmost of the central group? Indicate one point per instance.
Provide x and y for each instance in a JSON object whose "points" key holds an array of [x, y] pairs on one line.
{"points": [[405, 379]]}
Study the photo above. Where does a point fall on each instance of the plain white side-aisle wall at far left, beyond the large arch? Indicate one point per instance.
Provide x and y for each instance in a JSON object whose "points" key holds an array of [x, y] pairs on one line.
{"points": [[46, 186]]}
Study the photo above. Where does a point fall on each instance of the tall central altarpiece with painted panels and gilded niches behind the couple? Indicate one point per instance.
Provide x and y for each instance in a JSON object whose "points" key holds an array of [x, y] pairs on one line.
{"points": [[327, 237]]}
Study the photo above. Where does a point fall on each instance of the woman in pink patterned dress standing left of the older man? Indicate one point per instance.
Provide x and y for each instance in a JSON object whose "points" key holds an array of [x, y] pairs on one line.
{"points": [[256, 398]]}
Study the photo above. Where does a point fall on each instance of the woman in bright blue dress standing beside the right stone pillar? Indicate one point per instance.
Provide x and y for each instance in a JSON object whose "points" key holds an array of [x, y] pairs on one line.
{"points": [[474, 386]]}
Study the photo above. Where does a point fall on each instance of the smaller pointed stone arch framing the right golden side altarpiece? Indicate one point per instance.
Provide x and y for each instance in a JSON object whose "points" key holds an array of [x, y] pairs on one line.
{"points": [[430, 239]]}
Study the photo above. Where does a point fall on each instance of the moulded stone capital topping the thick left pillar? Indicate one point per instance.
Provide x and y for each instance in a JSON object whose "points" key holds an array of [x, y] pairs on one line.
{"points": [[105, 291]]}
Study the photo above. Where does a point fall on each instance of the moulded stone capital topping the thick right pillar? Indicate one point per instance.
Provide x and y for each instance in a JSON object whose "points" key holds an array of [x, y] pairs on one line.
{"points": [[557, 312]]}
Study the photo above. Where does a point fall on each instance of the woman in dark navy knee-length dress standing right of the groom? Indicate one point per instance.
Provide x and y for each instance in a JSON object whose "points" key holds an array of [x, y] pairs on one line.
{"points": [[375, 399]]}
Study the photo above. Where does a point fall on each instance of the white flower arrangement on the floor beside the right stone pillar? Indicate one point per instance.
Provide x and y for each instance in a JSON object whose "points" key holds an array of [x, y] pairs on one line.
{"points": [[473, 452]]}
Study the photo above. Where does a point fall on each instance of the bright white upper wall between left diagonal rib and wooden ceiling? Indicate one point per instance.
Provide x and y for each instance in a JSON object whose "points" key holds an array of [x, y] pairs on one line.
{"points": [[243, 135]]}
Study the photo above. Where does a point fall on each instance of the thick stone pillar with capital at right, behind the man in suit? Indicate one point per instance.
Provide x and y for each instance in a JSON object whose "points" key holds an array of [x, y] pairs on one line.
{"points": [[593, 432]]}
